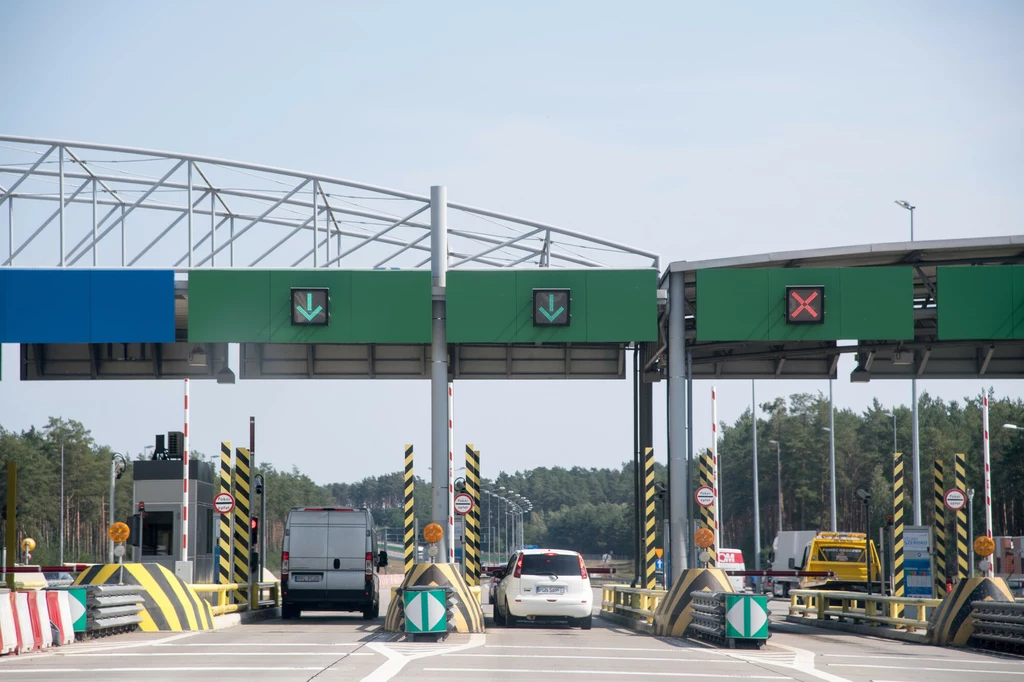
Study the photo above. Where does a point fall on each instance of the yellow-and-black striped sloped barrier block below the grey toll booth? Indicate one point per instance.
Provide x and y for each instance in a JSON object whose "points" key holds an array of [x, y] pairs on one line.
{"points": [[170, 606]]}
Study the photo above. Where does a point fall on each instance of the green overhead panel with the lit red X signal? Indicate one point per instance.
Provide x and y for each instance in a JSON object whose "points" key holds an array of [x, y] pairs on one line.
{"points": [[805, 305]]}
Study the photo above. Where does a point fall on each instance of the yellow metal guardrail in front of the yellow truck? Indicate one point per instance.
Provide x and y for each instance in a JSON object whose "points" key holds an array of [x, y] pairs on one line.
{"points": [[858, 607]]}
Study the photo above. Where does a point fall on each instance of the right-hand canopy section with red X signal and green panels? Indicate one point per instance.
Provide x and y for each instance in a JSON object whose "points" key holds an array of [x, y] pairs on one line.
{"points": [[792, 315]]}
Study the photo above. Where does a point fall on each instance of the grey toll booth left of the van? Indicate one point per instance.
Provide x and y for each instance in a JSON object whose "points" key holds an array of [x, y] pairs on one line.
{"points": [[158, 486]]}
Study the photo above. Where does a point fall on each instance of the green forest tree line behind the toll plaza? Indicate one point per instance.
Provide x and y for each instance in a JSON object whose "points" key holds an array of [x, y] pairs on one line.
{"points": [[587, 509]]}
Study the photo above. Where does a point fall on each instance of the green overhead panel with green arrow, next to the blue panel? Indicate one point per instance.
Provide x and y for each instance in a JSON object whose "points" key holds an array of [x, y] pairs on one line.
{"points": [[310, 307]]}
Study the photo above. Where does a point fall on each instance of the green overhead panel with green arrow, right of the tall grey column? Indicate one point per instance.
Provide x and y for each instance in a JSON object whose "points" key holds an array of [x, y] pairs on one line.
{"points": [[552, 307]]}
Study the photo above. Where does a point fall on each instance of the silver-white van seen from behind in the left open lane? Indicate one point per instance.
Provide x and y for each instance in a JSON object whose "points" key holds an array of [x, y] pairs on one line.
{"points": [[330, 563]]}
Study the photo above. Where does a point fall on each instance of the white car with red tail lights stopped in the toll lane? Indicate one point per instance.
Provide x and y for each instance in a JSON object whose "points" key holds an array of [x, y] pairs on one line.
{"points": [[544, 585]]}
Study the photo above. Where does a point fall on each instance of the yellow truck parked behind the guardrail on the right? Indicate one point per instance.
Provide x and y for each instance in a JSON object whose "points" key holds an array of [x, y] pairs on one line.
{"points": [[845, 555]]}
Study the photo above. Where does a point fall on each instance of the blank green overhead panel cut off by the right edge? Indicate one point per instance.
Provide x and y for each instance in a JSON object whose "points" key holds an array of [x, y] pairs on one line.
{"points": [[980, 303]]}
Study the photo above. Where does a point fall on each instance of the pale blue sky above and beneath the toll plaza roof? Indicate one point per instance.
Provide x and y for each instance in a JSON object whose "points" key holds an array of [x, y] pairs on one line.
{"points": [[690, 130]]}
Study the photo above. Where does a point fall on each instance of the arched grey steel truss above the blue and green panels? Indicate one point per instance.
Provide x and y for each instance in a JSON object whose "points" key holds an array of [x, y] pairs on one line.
{"points": [[76, 204]]}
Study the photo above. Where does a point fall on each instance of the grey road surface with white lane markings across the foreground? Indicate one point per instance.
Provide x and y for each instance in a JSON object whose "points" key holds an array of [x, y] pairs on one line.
{"points": [[334, 648]]}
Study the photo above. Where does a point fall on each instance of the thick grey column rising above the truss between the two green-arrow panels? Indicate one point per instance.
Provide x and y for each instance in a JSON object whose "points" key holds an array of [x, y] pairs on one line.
{"points": [[439, 367]]}
